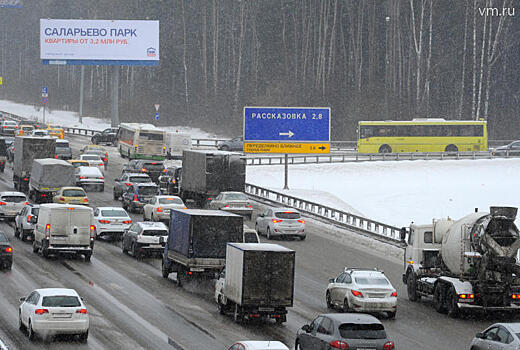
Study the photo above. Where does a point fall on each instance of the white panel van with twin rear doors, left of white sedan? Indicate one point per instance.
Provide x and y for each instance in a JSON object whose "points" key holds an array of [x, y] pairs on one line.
{"points": [[62, 228]]}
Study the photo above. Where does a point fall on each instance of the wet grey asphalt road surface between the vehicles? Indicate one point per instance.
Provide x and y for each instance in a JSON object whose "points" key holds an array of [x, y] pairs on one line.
{"points": [[132, 306]]}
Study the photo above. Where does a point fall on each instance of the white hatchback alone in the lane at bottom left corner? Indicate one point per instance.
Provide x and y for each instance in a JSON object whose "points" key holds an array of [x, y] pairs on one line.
{"points": [[50, 311]]}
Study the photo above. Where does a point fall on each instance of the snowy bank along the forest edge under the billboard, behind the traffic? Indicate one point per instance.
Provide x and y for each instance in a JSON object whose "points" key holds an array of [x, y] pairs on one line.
{"points": [[71, 119]]}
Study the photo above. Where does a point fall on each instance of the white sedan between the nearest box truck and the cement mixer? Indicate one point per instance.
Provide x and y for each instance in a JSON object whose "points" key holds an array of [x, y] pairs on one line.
{"points": [[362, 290]]}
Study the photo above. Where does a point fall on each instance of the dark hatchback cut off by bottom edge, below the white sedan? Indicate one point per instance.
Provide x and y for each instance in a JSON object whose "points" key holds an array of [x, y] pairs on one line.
{"points": [[343, 331]]}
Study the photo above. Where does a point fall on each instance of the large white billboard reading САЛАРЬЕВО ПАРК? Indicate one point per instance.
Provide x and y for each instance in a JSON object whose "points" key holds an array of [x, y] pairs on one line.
{"points": [[121, 42]]}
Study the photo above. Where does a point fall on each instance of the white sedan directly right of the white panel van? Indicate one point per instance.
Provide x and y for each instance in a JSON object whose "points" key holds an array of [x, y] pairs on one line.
{"points": [[111, 222]]}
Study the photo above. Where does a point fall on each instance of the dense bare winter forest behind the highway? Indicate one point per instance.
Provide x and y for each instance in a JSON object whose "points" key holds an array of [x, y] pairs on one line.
{"points": [[366, 59]]}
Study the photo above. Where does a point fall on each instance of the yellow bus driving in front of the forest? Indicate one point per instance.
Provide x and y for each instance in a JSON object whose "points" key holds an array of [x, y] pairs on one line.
{"points": [[422, 135]]}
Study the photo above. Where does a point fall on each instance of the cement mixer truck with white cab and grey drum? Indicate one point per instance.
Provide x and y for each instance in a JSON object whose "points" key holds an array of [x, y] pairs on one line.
{"points": [[465, 265]]}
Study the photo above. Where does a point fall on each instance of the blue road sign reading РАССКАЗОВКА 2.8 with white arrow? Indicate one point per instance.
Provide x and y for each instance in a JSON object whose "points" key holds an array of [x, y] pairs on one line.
{"points": [[287, 124]]}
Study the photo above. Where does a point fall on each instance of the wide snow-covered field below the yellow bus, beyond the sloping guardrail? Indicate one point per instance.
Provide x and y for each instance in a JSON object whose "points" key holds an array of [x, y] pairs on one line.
{"points": [[397, 193]]}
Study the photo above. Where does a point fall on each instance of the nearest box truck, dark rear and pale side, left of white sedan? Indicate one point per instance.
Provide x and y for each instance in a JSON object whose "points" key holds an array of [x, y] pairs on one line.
{"points": [[257, 282]]}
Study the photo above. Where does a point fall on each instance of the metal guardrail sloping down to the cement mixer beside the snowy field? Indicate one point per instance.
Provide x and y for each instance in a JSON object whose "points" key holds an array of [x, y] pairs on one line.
{"points": [[373, 228]]}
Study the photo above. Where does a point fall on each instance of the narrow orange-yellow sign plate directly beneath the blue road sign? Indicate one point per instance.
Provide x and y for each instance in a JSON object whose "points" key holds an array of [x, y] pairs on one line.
{"points": [[286, 147]]}
